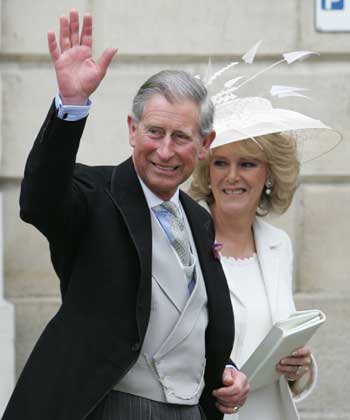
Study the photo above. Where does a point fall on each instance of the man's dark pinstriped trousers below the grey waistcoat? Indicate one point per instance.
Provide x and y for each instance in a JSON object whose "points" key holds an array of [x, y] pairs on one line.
{"points": [[120, 406]]}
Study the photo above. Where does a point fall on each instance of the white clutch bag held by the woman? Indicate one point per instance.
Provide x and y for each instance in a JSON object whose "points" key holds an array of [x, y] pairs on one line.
{"points": [[283, 338]]}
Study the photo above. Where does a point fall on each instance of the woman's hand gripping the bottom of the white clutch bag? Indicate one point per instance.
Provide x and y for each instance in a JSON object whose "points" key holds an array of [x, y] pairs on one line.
{"points": [[296, 365]]}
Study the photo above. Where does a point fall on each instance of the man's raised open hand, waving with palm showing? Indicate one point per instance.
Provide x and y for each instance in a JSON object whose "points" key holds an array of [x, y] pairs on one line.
{"points": [[78, 75]]}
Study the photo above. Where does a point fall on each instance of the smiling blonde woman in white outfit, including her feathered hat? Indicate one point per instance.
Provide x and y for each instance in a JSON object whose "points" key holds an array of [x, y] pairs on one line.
{"points": [[253, 170]]}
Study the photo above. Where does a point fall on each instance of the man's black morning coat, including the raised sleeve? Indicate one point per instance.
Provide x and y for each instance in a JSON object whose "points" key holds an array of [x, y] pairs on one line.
{"points": [[98, 225]]}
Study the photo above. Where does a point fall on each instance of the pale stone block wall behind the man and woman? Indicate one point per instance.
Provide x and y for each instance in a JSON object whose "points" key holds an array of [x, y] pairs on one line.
{"points": [[157, 34]]}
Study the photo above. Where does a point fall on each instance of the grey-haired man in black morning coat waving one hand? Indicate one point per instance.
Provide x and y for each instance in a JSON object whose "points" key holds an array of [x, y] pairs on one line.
{"points": [[145, 326]]}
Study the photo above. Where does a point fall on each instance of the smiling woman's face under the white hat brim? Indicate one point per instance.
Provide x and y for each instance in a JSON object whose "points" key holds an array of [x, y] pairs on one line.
{"points": [[237, 181]]}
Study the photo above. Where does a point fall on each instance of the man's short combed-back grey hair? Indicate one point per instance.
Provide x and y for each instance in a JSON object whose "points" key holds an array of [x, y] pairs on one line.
{"points": [[176, 85]]}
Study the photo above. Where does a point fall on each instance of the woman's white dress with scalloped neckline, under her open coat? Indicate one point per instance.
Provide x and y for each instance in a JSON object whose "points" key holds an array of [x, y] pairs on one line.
{"points": [[247, 289]]}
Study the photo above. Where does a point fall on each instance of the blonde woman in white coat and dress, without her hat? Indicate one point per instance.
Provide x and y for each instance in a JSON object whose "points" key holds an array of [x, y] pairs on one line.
{"points": [[239, 182]]}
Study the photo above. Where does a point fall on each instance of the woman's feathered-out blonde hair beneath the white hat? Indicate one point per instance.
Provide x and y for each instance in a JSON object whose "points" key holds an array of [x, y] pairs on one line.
{"points": [[279, 152]]}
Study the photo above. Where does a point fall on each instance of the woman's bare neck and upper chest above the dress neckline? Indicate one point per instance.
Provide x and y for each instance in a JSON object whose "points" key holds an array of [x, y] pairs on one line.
{"points": [[235, 232]]}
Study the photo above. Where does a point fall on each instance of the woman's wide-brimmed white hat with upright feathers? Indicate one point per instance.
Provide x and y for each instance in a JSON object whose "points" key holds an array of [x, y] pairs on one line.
{"points": [[238, 118]]}
